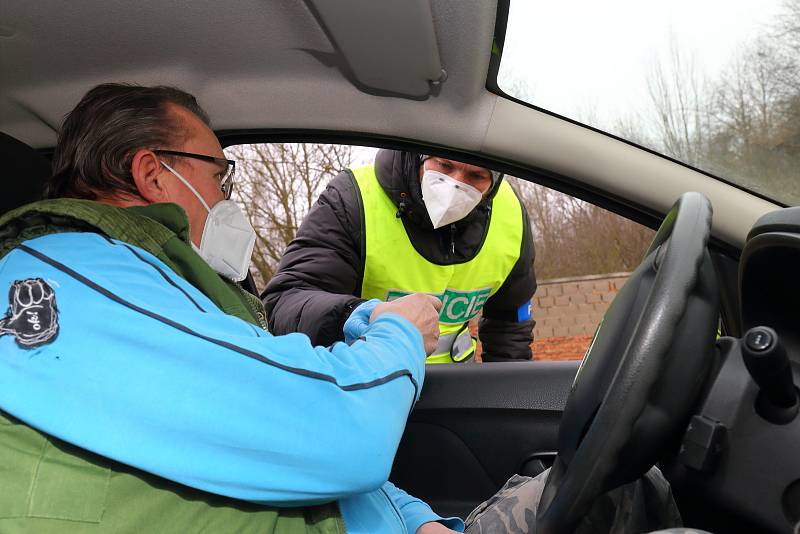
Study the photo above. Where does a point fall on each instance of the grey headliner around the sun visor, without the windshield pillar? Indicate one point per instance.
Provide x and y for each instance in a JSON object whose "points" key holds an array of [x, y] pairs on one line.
{"points": [[244, 61]]}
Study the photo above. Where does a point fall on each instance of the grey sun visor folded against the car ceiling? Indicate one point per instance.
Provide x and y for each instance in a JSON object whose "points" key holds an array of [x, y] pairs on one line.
{"points": [[383, 48]]}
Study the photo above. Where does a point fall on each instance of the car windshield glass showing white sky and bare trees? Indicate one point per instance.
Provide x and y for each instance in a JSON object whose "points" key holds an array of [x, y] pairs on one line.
{"points": [[714, 84]]}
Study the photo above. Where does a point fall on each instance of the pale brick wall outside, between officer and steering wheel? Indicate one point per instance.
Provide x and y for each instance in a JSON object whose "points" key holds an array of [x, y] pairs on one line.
{"points": [[570, 307]]}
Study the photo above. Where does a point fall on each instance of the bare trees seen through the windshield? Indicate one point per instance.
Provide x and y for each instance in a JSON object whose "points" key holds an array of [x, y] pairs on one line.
{"points": [[744, 125]]}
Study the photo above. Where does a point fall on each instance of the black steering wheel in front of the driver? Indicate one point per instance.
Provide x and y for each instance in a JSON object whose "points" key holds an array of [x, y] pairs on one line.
{"points": [[643, 372]]}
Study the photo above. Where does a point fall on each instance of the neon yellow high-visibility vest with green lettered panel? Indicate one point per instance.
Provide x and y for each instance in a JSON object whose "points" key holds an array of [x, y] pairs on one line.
{"points": [[393, 267]]}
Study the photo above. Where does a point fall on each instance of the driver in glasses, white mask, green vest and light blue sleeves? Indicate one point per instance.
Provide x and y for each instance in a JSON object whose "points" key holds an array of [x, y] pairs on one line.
{"points": [[140, 392]]}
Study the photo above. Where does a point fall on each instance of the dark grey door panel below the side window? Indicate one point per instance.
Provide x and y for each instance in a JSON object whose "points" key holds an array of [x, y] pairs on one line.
{"points": [[475, 426]]}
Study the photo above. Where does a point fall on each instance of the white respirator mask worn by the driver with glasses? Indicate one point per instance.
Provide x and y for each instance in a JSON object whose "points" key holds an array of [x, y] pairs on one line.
{"points": [[228, 237]]}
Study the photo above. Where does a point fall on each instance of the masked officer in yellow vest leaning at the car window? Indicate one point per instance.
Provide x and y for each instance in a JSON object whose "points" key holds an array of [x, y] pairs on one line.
{"points": [[413, 223]]}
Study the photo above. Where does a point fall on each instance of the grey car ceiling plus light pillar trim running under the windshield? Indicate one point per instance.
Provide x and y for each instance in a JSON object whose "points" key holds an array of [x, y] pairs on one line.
{"points": [[249, 64]]}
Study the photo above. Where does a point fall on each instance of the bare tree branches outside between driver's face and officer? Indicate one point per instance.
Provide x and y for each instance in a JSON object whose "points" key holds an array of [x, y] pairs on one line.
{"points": [[277, 184]]}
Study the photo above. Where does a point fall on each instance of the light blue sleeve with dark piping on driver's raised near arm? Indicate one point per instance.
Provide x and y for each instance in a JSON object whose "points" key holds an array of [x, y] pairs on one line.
{"points": [[145, 370]]}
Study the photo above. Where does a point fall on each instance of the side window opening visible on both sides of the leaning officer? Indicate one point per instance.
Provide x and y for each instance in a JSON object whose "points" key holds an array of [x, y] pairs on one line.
{"points": [[583, 253]]}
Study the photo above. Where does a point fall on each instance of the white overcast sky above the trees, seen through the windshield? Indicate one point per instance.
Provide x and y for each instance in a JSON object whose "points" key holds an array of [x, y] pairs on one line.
{"points": [[590, 58]]}
